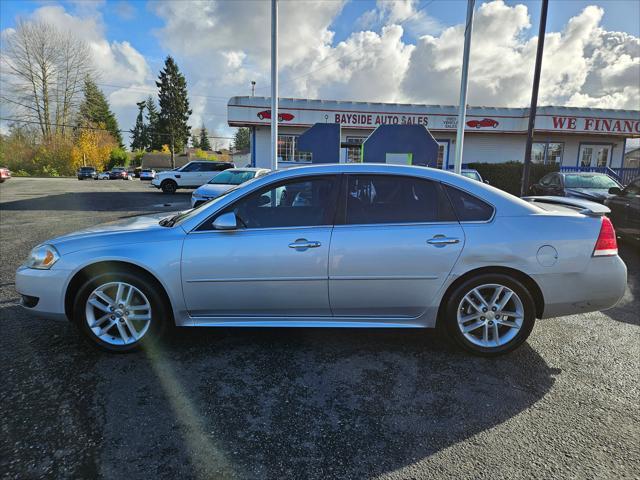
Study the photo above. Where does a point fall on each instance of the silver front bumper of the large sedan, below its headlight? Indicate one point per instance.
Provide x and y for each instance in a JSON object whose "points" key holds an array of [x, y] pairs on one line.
{"points": [[48, 286]]}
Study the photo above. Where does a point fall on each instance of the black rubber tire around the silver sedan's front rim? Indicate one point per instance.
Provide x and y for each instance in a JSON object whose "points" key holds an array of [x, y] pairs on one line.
{"points": [[161, 317]]}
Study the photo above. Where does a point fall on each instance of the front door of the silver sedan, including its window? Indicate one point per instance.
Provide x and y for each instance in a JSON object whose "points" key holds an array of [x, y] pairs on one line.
{"points": [[274, 262]]}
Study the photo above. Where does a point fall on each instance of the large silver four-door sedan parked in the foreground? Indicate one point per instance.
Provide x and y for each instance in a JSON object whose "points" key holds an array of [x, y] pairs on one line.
{"points": [[354, 245]]}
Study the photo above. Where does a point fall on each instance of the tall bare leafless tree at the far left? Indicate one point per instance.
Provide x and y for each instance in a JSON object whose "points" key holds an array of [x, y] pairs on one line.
{"points": [[43, 71]]}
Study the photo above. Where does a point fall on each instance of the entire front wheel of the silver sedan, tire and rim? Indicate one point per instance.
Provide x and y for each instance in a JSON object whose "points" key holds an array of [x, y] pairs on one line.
{"points": [[120, 311]]}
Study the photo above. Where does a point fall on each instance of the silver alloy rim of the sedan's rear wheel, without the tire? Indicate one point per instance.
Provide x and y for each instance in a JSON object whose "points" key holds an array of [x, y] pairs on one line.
{"points": [[490, 315]]}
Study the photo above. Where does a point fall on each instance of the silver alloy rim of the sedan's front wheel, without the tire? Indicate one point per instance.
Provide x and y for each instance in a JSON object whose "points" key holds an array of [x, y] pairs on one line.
{"points": [[118, 313]]}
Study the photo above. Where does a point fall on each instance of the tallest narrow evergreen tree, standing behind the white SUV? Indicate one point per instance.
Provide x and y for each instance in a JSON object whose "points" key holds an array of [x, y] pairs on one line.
{"points": [[174, 107]]}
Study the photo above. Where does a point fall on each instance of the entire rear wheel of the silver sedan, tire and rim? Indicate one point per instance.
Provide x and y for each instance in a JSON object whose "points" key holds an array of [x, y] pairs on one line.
{"points": [[490, 314]]}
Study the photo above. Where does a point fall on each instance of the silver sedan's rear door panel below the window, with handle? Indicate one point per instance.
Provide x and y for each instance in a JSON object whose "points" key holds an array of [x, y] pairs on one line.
{"points": [[390, 270]]}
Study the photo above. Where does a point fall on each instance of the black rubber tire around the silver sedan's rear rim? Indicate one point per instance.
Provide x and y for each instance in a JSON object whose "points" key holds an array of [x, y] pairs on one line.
{"points": [[453, 302]]}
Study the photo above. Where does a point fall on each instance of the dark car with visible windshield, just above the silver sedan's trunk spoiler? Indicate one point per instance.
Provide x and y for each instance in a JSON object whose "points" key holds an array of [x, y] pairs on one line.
{"points": [[585, 185]]}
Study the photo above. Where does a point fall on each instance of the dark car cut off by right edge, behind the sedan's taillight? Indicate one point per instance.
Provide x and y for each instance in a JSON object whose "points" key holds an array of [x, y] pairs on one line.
{"points": [[625, 209]]}
